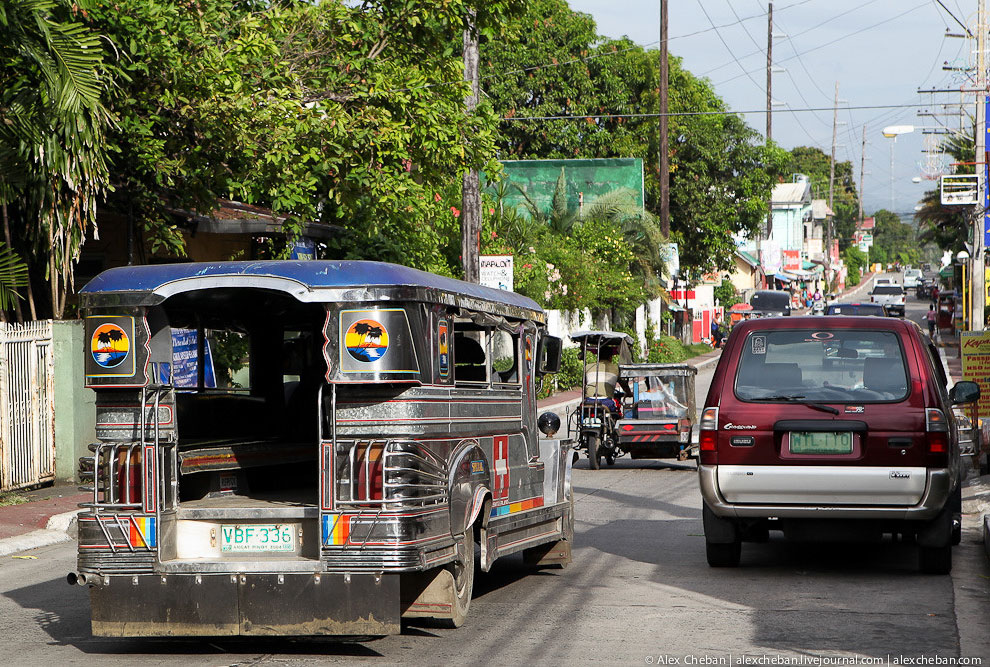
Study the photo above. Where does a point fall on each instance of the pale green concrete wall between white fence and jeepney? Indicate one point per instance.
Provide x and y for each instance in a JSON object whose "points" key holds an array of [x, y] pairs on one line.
{"points": [[75, 406]]}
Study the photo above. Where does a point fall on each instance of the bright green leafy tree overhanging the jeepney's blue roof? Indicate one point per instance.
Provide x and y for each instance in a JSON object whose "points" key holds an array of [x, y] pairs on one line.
{"points": [[350, 114]]}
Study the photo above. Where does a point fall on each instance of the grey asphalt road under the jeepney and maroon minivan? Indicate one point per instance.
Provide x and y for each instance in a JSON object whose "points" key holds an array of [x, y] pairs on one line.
{"points": [[638, 592]]}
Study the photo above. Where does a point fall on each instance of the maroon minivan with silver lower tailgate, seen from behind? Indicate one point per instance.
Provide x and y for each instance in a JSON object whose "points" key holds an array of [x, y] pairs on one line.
{"points": [[831, 427]]}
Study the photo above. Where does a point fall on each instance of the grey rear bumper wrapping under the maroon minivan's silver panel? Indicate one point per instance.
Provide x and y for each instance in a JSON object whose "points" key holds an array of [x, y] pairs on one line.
{"points": [[937, 488]]}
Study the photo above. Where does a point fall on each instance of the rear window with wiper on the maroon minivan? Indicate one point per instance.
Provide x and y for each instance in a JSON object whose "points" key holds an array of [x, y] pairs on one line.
{"points": [[826, 365]]}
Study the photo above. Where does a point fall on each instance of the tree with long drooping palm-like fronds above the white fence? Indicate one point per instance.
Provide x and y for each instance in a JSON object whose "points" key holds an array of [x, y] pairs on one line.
{"points": [[52, 124]]}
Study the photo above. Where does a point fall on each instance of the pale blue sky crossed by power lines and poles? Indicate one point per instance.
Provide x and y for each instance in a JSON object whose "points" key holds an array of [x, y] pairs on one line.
{"points": [[880, 52]]}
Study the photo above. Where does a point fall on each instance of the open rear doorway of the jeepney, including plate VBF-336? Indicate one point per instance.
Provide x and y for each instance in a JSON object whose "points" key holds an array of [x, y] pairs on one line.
{"points": [[242, 478]]}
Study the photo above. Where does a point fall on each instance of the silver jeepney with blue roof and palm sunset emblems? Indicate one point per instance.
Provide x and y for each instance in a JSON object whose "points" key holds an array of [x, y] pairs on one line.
{"points": [[310, 447]]}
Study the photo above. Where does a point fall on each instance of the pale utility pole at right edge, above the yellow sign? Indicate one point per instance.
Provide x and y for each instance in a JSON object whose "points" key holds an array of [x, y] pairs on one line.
{"points": [[978, 289]]}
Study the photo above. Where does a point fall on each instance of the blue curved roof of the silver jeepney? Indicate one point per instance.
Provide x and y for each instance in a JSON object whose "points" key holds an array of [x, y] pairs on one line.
{"points": [[306, 280]]}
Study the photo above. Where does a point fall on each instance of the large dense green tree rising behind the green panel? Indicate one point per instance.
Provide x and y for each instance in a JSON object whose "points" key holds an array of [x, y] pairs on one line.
{"points": [[721, 172]]}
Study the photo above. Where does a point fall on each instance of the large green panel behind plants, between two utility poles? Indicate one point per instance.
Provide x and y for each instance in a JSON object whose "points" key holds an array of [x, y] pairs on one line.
{"points": [[592, 177]]}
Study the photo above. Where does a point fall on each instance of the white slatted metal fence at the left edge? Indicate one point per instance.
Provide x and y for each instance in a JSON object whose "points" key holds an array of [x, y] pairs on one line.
{"points": [[27, 413]]}
